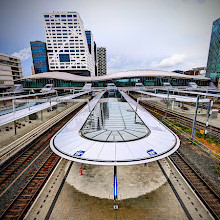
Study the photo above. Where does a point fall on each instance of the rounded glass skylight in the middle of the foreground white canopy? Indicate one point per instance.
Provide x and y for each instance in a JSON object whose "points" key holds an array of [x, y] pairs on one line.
{"points": [[113, 120]]}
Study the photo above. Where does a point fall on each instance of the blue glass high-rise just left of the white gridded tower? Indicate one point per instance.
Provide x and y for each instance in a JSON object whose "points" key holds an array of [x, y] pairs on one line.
{"points": [[39, 56]]}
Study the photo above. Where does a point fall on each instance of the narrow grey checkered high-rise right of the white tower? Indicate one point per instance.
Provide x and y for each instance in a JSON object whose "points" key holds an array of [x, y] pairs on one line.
{"points": [[101, 54]]}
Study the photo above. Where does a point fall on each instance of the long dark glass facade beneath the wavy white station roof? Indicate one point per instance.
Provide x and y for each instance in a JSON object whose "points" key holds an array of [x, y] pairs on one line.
{"points": [[146, 81]]}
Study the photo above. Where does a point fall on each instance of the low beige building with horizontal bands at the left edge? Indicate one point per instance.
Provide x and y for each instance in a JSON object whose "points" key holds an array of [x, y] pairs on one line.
{"points": [[10, 70]]}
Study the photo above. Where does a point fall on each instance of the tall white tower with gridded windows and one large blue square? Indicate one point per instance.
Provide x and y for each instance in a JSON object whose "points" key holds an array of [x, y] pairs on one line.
{"points": [[67, 44]]}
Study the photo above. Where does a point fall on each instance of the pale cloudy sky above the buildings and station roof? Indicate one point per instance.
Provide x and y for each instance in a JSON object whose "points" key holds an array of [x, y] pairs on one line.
{"points": [[138, 34]]}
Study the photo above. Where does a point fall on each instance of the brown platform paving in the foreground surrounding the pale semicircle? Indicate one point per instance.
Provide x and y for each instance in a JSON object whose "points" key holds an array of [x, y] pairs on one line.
{"points": [[162, 203]]}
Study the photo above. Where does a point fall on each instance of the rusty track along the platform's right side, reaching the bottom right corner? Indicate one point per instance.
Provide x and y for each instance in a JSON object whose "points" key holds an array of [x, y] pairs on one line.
{"points": [[207, 195]]}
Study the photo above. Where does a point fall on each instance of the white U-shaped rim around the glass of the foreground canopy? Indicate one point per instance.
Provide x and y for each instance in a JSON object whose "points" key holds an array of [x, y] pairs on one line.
{"points": [[160, 143]]}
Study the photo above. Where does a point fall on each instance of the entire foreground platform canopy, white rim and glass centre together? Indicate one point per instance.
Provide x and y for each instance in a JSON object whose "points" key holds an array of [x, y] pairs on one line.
{"points": [[113, 133]]}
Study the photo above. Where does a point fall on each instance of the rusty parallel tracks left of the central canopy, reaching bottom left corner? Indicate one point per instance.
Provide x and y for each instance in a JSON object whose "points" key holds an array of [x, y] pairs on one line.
{"points": [[22, 178]]}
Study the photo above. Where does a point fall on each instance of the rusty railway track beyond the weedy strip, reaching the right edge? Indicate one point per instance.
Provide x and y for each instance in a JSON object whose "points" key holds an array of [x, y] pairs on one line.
{"points": [[179, 117]]}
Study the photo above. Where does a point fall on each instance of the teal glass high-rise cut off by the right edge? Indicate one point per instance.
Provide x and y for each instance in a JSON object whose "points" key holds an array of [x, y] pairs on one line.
{"points": [[213, 65]]}
